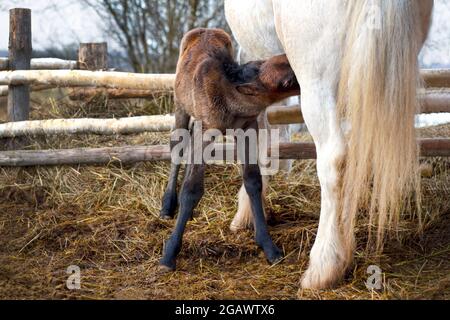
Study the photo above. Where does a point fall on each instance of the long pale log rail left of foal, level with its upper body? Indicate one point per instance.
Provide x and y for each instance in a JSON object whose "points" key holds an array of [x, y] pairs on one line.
{"points": [[81, 78]]}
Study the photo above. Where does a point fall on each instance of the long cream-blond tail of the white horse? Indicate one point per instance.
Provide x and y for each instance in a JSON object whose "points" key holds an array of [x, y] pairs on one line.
{"points": [[378, 97]]}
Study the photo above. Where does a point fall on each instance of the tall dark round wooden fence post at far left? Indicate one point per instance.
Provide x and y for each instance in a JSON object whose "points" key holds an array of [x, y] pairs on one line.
{"points": [[20, 50]]}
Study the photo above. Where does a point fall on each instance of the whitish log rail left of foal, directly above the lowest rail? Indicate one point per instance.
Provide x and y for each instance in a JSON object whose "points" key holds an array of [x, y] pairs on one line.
{"points": [[88, 126]]}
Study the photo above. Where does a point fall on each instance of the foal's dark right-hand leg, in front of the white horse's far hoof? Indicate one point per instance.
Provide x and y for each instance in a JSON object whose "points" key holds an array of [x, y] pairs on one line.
{"points": [[253, 185]]}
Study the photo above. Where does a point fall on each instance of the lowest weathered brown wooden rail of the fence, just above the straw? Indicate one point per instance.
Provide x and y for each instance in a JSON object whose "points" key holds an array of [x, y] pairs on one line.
{"points": [[133, 154]]}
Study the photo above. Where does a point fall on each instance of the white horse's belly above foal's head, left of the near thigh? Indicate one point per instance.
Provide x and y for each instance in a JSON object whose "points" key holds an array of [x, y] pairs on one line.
{"points": [[253, 26]]}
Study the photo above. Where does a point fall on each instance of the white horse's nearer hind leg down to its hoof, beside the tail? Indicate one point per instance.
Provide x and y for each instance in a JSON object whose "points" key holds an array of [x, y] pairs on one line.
{"points": [[331, 254]]}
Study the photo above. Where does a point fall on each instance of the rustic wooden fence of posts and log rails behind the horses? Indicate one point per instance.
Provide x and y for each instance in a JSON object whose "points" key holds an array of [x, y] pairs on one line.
{"points": [[90, 73]]}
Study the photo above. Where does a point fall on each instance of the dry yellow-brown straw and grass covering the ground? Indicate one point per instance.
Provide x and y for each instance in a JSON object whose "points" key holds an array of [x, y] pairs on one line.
{"points": [[105, 220]]}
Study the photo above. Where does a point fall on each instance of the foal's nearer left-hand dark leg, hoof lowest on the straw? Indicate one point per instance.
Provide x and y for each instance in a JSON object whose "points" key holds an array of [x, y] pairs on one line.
{"points": [[191, 193]]}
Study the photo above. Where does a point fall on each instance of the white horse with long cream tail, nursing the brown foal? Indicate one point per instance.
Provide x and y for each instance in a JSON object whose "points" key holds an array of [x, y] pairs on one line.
{"points": [[356, 60]]}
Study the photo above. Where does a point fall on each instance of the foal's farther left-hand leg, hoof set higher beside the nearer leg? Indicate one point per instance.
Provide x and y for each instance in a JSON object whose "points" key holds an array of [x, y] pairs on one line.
{"points": [[170, 201]]}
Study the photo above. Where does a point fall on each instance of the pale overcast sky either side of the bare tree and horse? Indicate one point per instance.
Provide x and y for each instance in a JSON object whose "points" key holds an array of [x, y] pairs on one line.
{"points": [[60, 22]]}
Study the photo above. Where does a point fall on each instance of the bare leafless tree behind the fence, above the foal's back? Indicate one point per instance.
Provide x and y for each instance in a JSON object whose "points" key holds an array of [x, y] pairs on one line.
{"points": [[150, 31]]}
